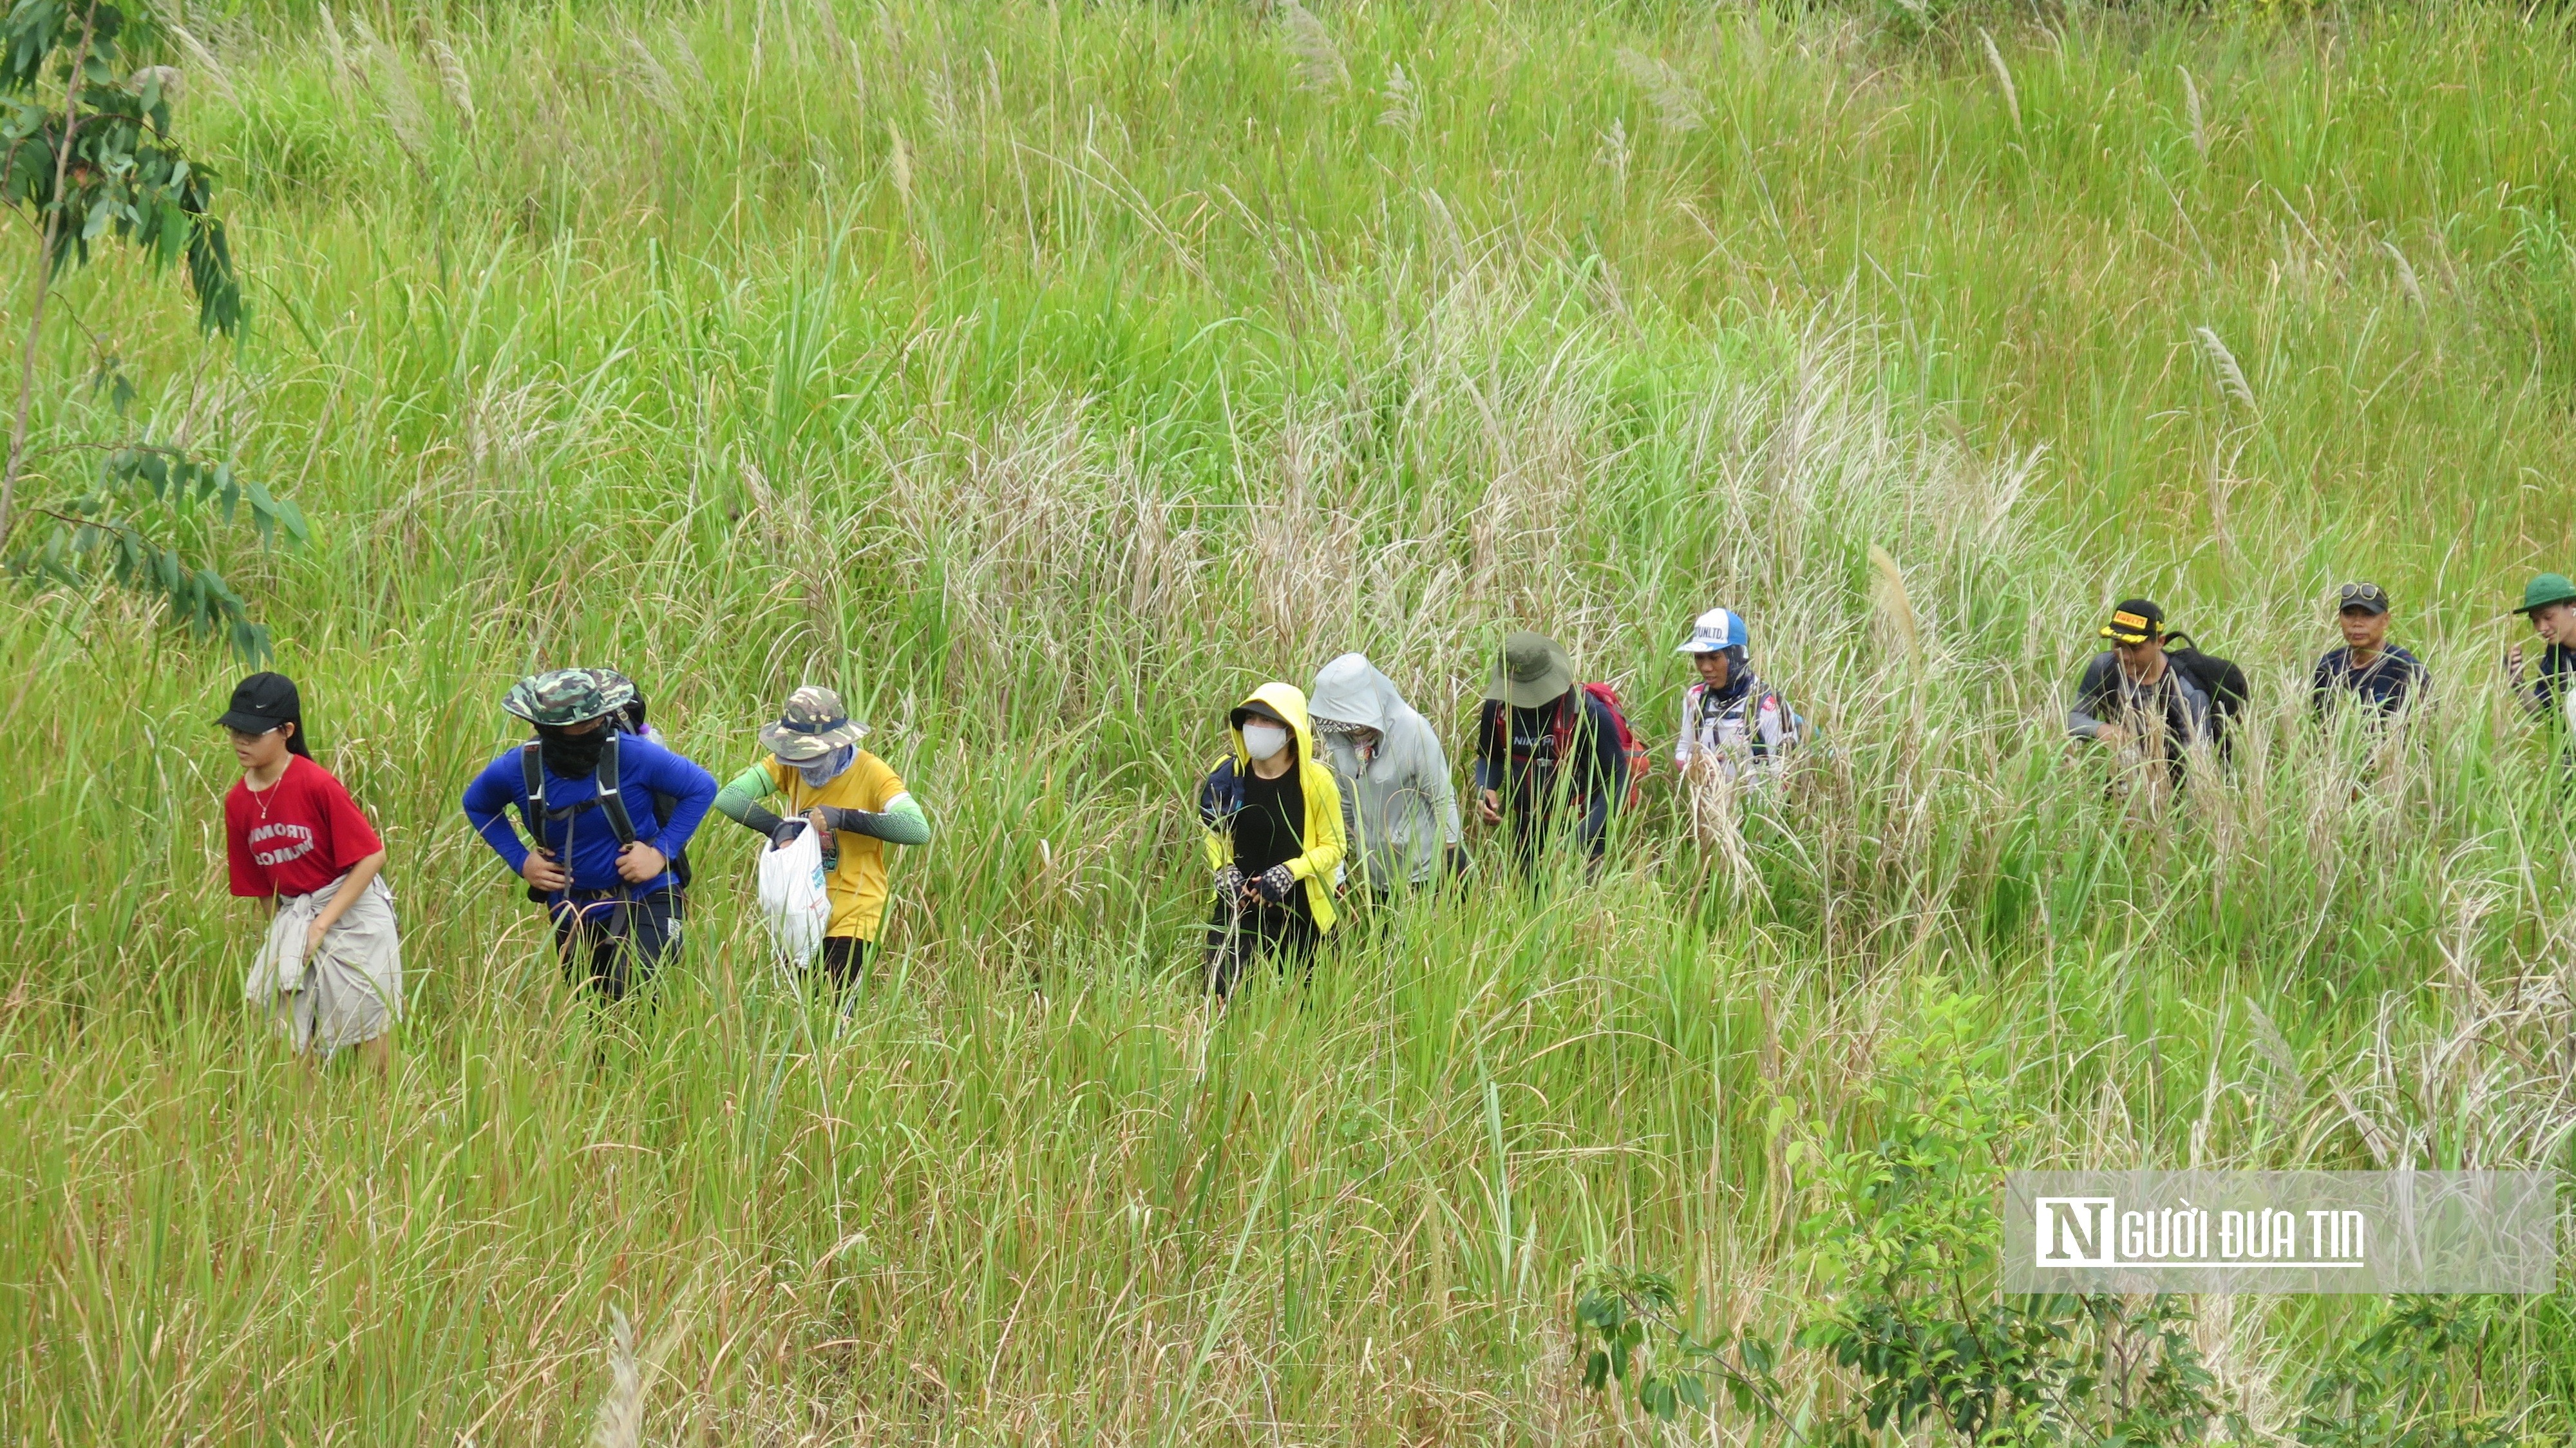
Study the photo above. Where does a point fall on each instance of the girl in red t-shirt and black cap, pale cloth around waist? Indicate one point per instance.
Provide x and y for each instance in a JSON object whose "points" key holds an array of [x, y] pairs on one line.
{"points": [[331, 970]]}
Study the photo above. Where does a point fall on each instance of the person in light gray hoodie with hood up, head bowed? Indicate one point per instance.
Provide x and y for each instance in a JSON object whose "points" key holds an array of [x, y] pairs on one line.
{"points": [[1397, 797]]}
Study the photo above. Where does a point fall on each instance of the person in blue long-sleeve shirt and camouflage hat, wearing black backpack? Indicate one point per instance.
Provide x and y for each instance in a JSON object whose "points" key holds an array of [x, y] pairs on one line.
{"points": [[599, 859]]}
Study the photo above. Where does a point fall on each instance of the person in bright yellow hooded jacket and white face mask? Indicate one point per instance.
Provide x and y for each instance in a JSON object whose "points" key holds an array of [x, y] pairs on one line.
{"points": [[1274, 839]]}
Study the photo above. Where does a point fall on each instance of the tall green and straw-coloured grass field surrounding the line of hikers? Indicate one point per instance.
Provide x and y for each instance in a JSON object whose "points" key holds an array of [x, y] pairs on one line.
{"points": [[1050, 375]]}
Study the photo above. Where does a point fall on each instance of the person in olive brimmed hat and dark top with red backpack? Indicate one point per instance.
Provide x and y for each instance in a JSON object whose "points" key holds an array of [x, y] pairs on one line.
{"points": [[1544, 746]]}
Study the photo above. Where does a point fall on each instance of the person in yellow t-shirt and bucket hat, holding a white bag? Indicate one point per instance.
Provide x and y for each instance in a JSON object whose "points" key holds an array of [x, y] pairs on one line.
{"points": [[844, 792]]}
